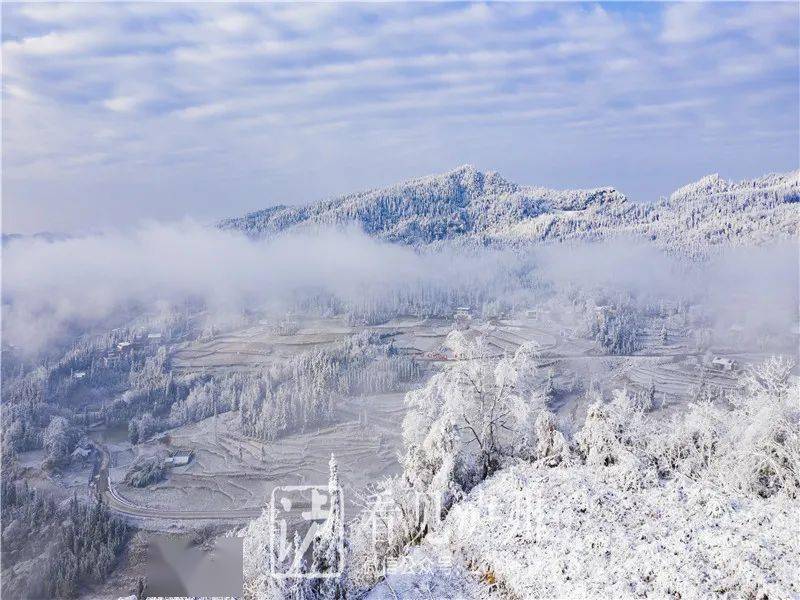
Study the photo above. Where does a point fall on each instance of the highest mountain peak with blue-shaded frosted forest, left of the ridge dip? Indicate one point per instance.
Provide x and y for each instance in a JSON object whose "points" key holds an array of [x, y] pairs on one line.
{"points": [[462, 202]]}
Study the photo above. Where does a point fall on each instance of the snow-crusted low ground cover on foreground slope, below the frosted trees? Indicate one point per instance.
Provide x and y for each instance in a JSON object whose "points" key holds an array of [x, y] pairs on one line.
{"points": [[574, 533]]}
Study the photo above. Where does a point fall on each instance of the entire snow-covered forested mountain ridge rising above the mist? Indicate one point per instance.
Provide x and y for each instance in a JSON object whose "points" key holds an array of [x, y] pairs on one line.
{"points": [[483, 207]]}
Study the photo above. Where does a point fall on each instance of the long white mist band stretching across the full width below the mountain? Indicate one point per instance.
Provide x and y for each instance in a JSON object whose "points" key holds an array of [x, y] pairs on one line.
{"points": [[54, 290]]}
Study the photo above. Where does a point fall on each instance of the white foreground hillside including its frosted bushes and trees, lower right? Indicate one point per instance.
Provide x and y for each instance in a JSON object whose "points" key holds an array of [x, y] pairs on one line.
{"points": [[630, 505]]}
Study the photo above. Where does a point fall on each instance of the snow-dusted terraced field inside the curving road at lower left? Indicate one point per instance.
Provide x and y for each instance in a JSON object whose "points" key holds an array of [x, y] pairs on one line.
{"points": [[365, 442]]}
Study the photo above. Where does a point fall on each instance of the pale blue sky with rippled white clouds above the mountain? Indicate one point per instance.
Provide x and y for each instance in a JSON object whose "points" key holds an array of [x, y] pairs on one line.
{"points": [[115, 113]]}
